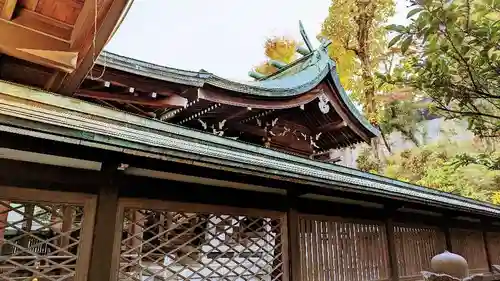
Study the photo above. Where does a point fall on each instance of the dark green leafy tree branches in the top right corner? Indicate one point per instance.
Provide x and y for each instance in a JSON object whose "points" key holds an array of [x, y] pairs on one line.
{"points": [[452, 55]]}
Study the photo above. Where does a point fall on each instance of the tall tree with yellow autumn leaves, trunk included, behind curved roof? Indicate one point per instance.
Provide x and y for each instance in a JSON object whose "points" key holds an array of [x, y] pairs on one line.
{"points": [[356, 28]]}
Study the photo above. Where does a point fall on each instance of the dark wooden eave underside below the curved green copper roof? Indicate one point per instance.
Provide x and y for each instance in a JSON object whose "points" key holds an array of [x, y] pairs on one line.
{"points": [[241, 113]]}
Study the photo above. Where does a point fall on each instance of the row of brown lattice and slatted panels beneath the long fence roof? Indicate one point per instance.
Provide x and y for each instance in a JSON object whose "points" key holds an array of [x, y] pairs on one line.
{"points": [[49, 235]]}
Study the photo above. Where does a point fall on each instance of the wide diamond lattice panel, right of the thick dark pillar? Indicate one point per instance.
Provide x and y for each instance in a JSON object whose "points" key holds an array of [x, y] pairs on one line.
{"points": [[199, 246]]}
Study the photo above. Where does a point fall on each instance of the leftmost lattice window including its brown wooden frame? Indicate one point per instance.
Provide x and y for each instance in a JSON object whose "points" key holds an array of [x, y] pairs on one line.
{"points": [[44, 235]]}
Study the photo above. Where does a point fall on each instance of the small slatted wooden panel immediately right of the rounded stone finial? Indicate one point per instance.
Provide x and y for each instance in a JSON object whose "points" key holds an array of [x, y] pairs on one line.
{"points": [[470, 245]]}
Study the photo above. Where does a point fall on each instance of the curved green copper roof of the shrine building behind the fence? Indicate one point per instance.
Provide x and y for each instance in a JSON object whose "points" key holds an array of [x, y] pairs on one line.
{"points": [[297, 78]]}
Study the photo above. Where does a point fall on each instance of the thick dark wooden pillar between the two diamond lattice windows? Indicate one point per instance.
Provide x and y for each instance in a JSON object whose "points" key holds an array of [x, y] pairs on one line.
{"points": [[108, 224]]}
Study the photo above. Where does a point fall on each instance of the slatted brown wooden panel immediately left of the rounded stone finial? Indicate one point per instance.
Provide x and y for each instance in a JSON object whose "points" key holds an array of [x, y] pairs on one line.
{"points": [[415, 247]]}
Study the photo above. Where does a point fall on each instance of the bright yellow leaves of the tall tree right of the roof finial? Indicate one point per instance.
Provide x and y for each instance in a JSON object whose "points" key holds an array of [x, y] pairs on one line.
{"points": [[342, 28]]}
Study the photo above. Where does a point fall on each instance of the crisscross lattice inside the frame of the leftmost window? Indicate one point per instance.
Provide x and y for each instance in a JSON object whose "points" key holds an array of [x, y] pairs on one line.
{"points": [[39, 241]]}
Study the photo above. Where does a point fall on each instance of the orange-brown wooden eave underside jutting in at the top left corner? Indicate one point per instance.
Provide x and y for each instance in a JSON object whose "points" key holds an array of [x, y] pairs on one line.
{"points": [[53, 44]]}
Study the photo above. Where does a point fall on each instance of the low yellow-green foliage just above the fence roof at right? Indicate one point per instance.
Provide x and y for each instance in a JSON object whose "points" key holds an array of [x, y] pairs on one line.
{"points": [[435, 166]]}
